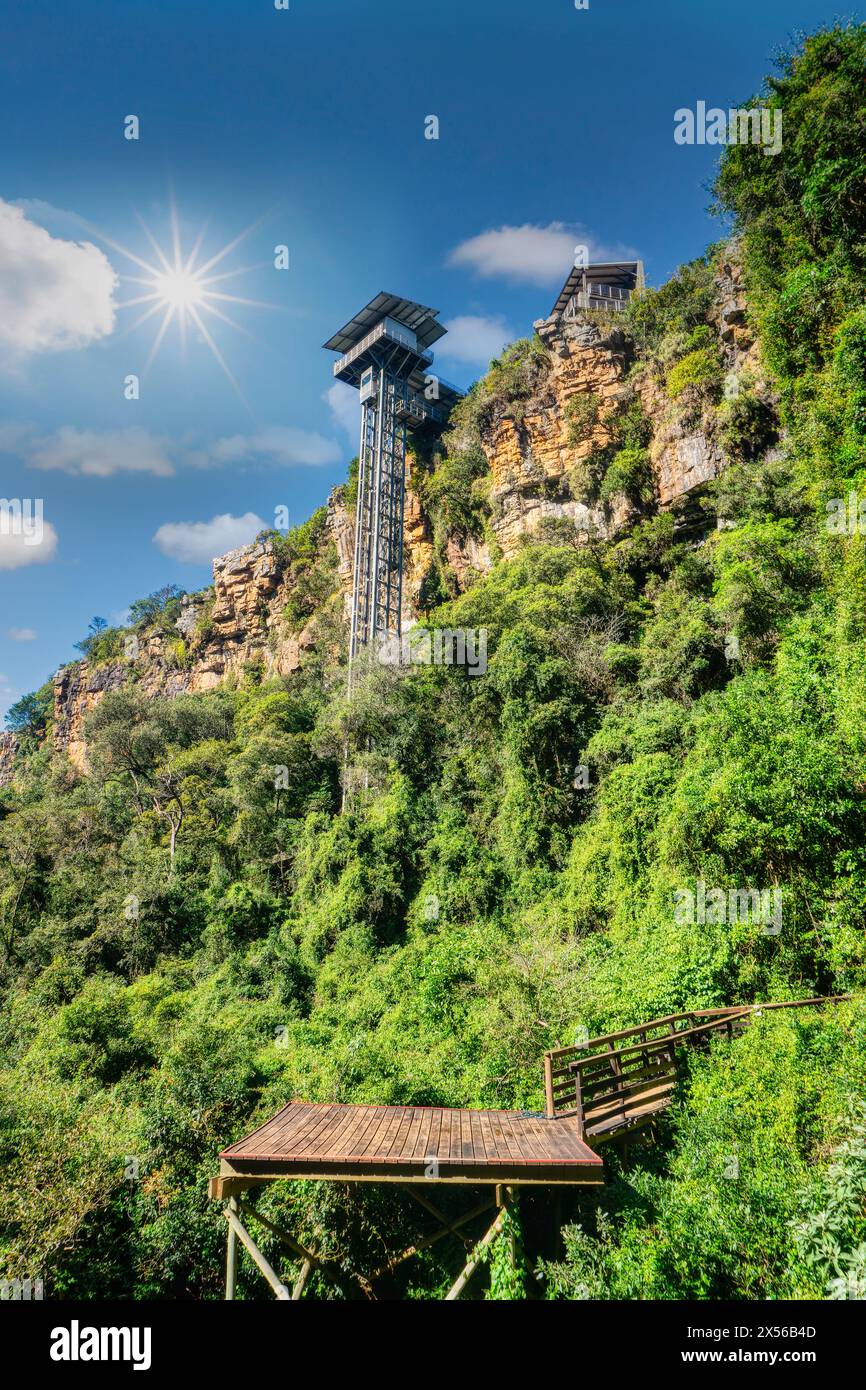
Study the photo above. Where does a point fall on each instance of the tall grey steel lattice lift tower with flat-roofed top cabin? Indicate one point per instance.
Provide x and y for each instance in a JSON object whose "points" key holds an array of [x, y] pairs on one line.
{"points": [[386, 355]]}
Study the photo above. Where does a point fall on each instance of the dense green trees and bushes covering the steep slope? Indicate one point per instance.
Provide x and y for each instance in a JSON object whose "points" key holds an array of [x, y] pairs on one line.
{"points": [[430, 897]]}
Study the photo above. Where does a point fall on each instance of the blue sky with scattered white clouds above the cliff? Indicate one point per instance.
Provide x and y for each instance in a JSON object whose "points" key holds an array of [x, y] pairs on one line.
{"points": [[305, 127]]}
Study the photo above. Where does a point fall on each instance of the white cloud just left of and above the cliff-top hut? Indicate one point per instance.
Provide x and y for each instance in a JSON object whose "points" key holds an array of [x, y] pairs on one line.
{"points": [[529, 254]]}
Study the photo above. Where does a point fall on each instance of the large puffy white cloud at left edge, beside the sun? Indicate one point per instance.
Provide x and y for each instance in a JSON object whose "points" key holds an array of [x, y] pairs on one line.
{"points": [[54, 294]]}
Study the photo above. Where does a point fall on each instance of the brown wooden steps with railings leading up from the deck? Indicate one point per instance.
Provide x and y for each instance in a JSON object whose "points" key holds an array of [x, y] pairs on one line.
{"points": [[623, 1079]]}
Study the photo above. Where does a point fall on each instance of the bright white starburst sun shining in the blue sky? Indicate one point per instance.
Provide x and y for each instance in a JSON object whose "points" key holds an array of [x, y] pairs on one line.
{"points": [[181, 290]]}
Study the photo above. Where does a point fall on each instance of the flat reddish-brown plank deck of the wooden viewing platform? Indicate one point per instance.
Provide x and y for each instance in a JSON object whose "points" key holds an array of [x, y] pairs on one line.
{"points": [[407, 1143]]}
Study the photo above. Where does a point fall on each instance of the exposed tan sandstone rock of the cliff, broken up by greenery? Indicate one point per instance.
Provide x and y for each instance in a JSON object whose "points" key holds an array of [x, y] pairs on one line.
{"points": [[534, 459]]}
